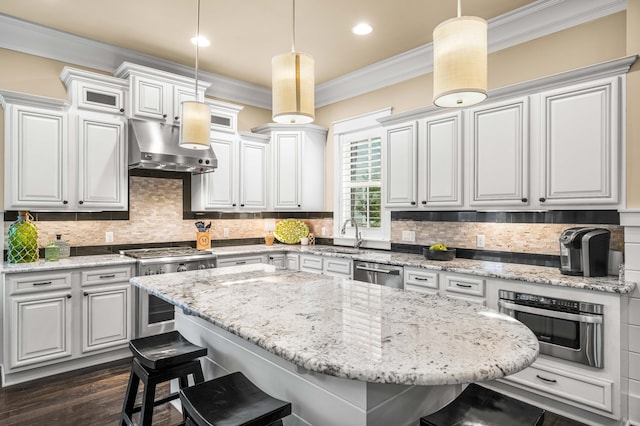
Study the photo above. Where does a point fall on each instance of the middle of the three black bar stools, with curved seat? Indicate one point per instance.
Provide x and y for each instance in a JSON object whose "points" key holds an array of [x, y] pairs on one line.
{"points": [[231, 400]]}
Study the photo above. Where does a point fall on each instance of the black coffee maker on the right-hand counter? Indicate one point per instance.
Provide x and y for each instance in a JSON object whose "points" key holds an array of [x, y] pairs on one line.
{"points": [[585, 251]]}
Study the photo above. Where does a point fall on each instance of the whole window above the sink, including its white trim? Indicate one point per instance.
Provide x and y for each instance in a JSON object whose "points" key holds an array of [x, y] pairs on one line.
{"points": [[358, 180]]}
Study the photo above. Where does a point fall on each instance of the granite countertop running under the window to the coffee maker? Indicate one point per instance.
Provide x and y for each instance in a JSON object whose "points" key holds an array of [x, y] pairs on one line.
{"points": [[501, 270]]}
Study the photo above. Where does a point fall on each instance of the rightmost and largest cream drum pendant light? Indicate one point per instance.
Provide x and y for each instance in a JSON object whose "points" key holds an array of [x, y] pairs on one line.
{"points": [[460, 61]]}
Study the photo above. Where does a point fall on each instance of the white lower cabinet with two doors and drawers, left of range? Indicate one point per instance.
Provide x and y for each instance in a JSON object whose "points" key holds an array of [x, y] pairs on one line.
{"points": [[54, 321]]}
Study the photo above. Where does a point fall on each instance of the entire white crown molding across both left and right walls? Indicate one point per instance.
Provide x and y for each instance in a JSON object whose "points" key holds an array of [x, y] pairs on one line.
{"points": [[527, 23]]}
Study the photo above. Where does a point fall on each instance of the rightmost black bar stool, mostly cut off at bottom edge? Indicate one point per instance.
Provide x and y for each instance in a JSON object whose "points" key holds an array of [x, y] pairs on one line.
{"points": [[480, 406]]}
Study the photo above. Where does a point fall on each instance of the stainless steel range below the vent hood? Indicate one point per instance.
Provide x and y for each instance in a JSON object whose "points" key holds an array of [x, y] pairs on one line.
{"points": [[154, 315]]}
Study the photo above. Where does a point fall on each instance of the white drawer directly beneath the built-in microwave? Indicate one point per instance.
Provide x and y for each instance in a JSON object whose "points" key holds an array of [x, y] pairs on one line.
{"points": [[573, 387]]}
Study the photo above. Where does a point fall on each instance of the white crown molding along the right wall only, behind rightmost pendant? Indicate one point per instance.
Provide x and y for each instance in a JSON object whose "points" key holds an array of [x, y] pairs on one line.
{"points": [[529, 22]]}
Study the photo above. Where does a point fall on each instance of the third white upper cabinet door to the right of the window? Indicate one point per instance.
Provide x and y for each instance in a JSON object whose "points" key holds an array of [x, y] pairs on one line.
{"points": [[498, 136]]}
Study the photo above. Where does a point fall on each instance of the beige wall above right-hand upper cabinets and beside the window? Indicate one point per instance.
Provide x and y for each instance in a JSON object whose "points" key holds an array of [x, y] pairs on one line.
{"points": [[583, 45]]}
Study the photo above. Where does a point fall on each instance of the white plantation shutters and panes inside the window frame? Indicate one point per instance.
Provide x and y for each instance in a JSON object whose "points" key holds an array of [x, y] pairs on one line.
{"points": [[361, 181]]}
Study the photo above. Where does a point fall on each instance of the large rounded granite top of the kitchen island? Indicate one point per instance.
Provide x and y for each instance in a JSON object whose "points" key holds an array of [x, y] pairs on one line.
{"points": [[350, 329]]}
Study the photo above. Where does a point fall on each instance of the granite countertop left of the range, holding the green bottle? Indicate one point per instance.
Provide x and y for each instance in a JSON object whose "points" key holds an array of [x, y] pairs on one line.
{"points": [[67, 263]]}
